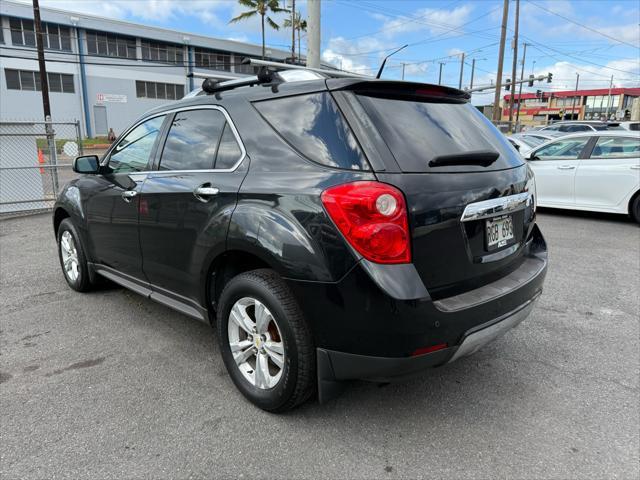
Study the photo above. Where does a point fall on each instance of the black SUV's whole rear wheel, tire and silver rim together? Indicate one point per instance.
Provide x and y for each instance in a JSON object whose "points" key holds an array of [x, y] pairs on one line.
{"points": [[278, 389]]}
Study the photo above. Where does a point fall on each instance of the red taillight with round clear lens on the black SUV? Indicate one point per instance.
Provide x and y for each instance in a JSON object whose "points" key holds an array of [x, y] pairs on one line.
{"points": [[373, 218]]}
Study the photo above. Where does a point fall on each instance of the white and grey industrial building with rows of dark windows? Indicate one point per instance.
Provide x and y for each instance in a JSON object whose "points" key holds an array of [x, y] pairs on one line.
{"points": [[105, 72]]}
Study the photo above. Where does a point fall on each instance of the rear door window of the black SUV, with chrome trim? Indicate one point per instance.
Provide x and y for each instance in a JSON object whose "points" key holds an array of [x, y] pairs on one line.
{"points": [[200, 140]]}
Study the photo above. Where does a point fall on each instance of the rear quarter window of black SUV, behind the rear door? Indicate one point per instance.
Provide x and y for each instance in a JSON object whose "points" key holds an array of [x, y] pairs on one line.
{"points": [[313, 125]]}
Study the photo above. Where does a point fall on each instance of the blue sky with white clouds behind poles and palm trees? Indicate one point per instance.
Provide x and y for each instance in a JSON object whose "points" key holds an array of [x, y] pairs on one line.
{"points": [[595, 38]]}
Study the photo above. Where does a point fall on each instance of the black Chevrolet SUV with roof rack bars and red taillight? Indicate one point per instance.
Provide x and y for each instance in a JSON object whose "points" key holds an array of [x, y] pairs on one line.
{"points": [[332, 229]]}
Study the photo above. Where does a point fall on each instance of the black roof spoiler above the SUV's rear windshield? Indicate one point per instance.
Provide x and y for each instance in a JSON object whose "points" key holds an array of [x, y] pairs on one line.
{"points": [[387, 88]]}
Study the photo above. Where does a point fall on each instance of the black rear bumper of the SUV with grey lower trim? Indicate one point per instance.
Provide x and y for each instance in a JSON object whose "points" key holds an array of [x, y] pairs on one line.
{"points": [[362, 332]]}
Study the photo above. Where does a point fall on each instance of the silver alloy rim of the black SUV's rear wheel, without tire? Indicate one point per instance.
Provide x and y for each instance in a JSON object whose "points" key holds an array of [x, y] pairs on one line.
{"points": [[256, 343]]}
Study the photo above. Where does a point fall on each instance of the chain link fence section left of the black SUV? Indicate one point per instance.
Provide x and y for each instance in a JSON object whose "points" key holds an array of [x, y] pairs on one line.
{"points": [[35, 162]]}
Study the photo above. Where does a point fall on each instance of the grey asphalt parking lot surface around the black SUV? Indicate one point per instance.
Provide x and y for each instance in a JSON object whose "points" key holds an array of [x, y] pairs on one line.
{"points": [[111, 385]]}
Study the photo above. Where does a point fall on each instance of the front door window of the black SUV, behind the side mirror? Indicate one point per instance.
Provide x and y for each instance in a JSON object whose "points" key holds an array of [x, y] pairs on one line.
{"points": [[133, 151]]}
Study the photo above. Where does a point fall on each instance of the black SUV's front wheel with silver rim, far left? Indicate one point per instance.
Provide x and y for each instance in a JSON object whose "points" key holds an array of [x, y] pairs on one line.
{"points": [[70, 251]]}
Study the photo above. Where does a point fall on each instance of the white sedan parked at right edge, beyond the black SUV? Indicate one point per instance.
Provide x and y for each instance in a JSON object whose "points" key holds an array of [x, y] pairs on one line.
{"points": [[596, 171]]}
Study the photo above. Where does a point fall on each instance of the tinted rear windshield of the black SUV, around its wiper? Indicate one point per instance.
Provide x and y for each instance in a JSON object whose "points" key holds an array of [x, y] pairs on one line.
{"points": [[418, 132]]}
